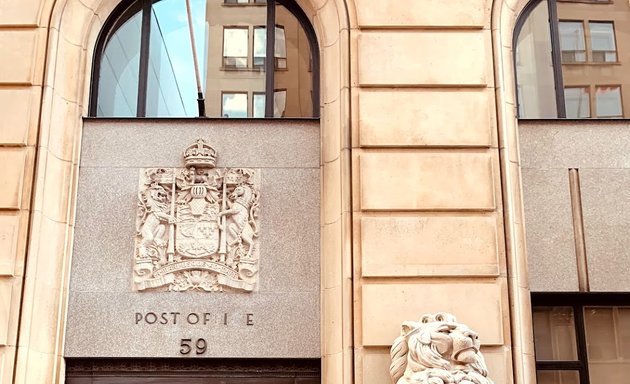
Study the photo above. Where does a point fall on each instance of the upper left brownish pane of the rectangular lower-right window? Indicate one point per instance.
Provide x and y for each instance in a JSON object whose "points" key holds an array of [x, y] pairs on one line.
{"points": [[554, 333]]}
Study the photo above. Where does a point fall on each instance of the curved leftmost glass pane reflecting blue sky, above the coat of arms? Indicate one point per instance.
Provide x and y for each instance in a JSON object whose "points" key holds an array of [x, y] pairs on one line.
{"points": [[118, 77]]}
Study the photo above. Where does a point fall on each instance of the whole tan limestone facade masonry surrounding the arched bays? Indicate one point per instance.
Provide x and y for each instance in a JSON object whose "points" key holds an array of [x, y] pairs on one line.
{"points": [[421, 193]]}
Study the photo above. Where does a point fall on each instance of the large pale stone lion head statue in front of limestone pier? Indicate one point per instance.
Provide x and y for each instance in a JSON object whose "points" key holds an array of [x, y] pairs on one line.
{"points": [[437, 350]]}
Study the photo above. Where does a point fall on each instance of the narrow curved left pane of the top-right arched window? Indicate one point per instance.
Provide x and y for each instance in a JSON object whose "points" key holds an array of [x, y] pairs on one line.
{"points": [[534, 68]]}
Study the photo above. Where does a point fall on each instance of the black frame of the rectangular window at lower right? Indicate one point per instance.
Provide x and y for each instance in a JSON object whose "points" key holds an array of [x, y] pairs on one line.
{"points": [[577, 301]]}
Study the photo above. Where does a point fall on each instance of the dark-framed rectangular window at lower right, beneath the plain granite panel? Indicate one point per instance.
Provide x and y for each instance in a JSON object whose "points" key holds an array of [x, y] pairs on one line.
{"points": [[581, 338]]}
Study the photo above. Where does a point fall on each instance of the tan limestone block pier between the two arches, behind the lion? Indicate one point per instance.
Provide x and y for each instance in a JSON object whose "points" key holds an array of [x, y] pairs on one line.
{"points": [[427, 202]]}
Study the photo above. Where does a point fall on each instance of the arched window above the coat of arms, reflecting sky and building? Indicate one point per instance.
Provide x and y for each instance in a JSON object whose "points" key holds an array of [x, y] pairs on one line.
{"points": [[206, 58]]}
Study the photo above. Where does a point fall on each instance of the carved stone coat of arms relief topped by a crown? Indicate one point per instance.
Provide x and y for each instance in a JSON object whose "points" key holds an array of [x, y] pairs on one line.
{"points": [[197, 227]]}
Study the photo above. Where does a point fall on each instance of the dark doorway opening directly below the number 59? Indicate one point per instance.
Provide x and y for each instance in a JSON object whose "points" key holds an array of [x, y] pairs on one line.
{"points": [[193, 371]]}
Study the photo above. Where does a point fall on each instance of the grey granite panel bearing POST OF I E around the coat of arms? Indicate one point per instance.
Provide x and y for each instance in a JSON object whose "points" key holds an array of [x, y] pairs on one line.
{"points": [[107, 318]]}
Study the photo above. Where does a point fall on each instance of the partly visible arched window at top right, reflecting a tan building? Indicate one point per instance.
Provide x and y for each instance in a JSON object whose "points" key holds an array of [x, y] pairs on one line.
{"points": [[572, 59]]}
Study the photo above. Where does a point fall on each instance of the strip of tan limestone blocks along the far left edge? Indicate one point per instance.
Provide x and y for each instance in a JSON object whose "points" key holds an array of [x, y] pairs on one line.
{"points": [[22, 42]]}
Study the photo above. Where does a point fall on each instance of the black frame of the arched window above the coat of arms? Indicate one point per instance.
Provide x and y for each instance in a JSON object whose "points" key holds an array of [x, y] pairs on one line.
{"points": [[127, 9]]}
